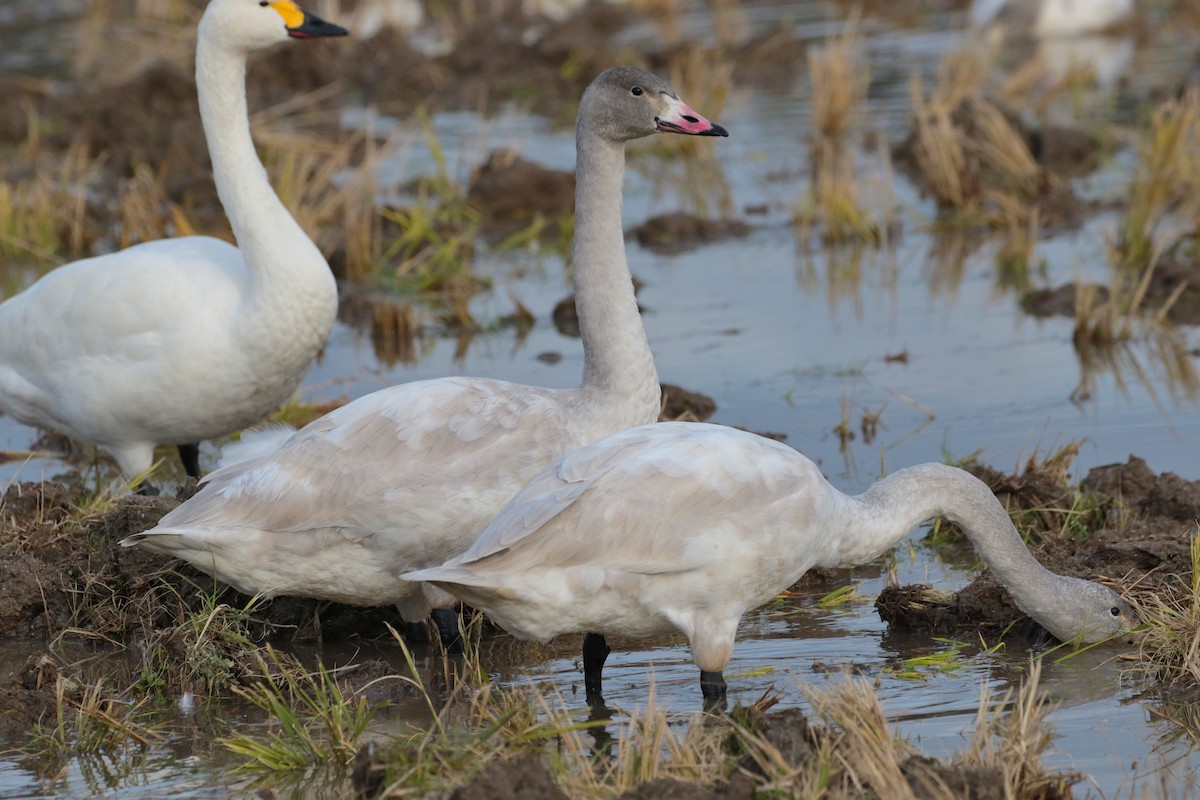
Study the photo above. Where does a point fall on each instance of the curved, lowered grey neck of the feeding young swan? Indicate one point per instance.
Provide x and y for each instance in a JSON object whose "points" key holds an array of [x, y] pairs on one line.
{"points": [[896, 506]]}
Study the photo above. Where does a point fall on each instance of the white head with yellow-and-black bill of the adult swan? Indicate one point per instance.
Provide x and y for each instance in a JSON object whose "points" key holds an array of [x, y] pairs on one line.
{"points": [[250, 26]]}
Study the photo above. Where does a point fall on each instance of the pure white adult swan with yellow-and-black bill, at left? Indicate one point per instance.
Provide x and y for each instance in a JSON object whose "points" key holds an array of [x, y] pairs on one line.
{"points": [[182, 340]]}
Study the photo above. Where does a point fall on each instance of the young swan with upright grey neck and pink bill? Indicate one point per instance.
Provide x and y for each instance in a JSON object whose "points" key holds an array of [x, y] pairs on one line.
{"points": [[409, 477]]}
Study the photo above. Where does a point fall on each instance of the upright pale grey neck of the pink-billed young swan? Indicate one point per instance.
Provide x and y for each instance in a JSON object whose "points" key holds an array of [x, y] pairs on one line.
{"points": [[617, 365]]}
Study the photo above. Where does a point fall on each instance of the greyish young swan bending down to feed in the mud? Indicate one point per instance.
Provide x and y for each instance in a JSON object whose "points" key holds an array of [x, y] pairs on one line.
{"points": [[685, 527]]}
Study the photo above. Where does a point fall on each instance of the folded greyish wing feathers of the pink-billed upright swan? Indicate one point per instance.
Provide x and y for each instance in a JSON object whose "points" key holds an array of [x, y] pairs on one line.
{"points": [[376, 465]]}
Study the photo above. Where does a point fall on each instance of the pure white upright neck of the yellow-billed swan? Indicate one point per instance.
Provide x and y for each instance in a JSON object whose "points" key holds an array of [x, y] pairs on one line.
{"points": [[277, 250]]}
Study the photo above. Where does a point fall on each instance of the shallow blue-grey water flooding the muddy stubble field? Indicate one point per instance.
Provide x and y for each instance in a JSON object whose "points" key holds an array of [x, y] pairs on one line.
{"points": [[782, 334]]}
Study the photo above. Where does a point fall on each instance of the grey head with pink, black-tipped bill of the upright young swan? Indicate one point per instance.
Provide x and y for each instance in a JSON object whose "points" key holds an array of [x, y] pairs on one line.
{"points": [[627, 104]]}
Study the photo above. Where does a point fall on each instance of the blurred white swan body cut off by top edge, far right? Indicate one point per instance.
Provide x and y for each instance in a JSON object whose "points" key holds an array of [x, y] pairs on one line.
{"points": [[1051, 19]]}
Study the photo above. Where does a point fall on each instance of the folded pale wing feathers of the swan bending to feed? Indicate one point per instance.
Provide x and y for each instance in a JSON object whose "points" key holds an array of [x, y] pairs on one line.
{"points": [[601, 506]]}
